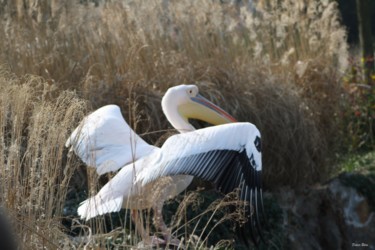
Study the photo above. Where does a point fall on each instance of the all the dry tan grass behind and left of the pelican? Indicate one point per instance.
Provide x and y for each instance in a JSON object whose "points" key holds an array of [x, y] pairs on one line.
{"points": [[278, 67]]}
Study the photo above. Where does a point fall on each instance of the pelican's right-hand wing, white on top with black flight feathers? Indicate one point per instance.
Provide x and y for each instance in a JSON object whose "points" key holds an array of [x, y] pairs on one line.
{"points": [[228, 156]]}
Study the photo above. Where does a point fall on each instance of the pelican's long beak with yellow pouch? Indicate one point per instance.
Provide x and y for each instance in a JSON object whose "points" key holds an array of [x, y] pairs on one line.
{"points": [[202, 109]]}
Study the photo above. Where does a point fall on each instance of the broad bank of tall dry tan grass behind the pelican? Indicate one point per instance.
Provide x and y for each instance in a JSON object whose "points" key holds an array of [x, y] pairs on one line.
{"points": [[283, 61]]}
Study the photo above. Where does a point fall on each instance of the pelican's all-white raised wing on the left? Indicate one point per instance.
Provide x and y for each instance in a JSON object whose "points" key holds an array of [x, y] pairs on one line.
{"points": [[105, 141]]}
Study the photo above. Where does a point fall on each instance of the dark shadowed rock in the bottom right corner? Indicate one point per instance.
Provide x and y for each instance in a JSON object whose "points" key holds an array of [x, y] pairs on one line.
{"points": [[329, 216]]}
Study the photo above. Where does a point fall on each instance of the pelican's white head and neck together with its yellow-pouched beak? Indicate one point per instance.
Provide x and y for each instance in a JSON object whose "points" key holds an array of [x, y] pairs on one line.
{"points": [[184, 101]]}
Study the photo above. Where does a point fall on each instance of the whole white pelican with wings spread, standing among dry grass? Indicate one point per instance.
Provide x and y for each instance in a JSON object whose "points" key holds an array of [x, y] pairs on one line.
{"points": [[228, 155]]}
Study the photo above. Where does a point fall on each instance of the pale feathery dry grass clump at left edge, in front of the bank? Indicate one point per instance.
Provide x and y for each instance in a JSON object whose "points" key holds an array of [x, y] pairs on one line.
{"points": [[34, 173]]}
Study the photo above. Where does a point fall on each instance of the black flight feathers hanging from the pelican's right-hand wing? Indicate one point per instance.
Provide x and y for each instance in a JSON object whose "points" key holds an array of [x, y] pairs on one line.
{"points": [[228, 170]]}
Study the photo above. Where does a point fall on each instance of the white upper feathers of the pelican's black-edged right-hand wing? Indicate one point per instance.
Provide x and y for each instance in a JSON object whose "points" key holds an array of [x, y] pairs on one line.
{"points": [[231, 136]]}
